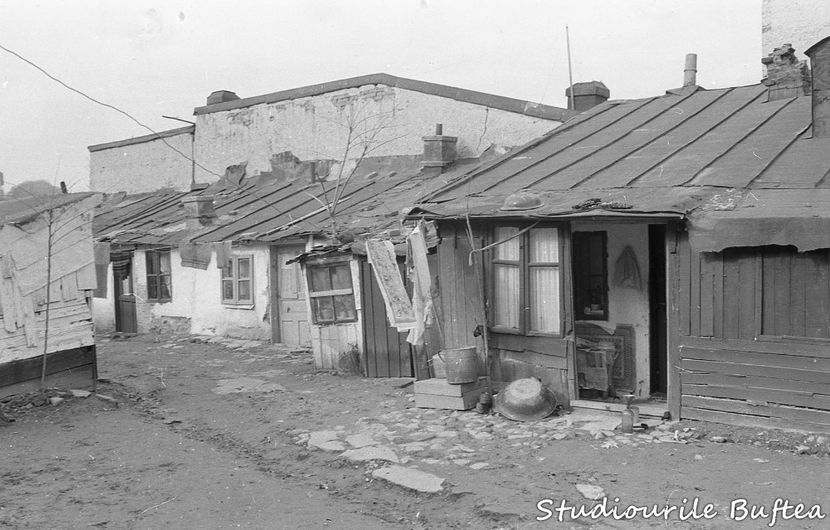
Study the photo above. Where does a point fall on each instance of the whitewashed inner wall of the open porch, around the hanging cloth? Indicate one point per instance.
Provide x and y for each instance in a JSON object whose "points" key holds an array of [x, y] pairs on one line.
{"points": [[628, 305]]}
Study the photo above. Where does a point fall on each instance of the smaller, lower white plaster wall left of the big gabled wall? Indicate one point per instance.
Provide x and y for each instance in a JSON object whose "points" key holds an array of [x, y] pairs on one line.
{"points": [[141, 167]]}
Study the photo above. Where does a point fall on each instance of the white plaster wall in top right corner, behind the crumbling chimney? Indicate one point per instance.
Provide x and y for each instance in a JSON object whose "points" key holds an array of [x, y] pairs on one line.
{"points": [[800, 22]]}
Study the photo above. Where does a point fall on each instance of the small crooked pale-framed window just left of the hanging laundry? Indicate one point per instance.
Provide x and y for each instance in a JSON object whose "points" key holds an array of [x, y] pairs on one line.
{"points": [[331, 293]]}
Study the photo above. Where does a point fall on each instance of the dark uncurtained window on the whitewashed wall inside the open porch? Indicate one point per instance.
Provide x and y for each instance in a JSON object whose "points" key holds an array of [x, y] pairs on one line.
{"points": [[590, 275]]}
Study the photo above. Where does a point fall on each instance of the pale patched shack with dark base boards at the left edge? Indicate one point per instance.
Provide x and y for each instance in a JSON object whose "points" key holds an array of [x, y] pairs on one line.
{"points": [[47, 275]]}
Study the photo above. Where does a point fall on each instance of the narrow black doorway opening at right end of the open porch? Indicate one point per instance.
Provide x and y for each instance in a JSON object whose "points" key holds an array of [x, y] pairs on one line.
{"points": [[658, 328]]}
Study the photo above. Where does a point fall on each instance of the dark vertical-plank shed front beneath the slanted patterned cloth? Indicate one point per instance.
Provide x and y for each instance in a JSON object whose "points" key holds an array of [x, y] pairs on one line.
{"points": [[386, 352]]}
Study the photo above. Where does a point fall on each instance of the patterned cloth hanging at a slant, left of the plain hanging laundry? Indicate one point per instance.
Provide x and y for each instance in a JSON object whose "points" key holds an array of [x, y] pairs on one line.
{"points": [[399, 311]]}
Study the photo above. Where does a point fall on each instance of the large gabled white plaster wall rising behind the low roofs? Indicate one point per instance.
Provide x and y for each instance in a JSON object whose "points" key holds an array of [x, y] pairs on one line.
{"points": [[313, 127]]}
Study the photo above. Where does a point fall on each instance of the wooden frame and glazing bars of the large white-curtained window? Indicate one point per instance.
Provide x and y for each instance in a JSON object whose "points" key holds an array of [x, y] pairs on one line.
{"points": [[525, 266]]}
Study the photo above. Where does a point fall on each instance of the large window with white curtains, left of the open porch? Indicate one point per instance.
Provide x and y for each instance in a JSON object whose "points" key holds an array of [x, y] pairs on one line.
{"points": [[525, 292]]}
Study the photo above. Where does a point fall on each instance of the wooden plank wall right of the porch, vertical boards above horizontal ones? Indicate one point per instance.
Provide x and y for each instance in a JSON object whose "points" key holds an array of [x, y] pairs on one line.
{"points": [[731, 372]]}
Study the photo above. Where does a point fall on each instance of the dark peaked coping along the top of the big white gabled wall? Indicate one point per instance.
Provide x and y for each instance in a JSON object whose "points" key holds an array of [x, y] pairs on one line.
{"points": [[536, 110]]}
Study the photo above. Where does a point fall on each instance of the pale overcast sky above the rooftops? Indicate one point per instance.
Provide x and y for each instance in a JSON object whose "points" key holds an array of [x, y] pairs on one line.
{"points": [[154, 58]]}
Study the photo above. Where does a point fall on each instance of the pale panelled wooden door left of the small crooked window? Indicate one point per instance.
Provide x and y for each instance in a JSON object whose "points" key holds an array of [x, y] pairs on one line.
{"points": [[292, 308]]}
